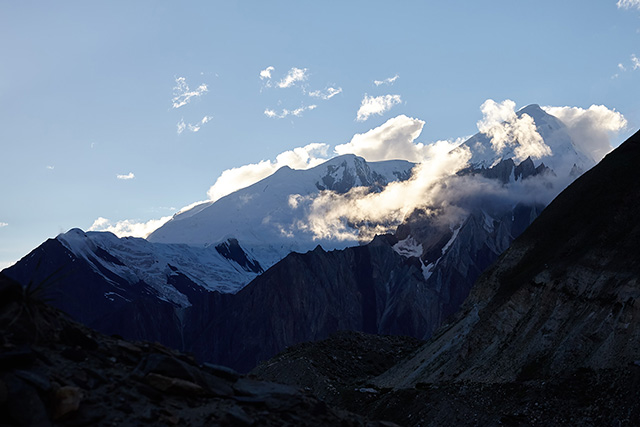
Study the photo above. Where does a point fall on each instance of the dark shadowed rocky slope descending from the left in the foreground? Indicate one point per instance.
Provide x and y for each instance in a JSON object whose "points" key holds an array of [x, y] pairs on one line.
{"points": [[57, 372]]}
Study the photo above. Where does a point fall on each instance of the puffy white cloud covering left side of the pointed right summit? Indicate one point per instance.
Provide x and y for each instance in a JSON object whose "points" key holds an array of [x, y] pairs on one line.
{"points": [[507, 130]]}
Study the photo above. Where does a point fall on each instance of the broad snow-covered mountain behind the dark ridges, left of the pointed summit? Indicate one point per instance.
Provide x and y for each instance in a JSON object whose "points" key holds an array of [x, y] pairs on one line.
{"points": [[261, 215]]}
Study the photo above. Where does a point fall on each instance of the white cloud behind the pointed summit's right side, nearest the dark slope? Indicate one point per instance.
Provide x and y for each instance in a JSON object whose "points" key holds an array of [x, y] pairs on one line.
{"points": [[591, 128]]}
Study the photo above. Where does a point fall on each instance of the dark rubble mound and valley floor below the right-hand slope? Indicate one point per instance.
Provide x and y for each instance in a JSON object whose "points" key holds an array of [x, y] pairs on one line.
{"points": [[342, 371]]}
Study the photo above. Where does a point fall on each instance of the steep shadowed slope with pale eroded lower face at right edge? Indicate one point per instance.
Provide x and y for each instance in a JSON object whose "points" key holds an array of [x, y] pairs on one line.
{"points": [[562, 297]]}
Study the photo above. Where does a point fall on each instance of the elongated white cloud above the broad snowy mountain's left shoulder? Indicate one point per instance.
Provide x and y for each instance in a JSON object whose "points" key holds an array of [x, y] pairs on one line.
{"points": [[299, 158]]}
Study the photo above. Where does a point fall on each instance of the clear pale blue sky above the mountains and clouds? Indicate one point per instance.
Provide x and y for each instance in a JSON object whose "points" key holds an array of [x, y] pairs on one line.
{"points": [[88, 89]]}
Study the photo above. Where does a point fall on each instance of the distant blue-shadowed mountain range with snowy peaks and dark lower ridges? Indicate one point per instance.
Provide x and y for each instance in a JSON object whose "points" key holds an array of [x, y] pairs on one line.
{"points": [[225, 281]]}
